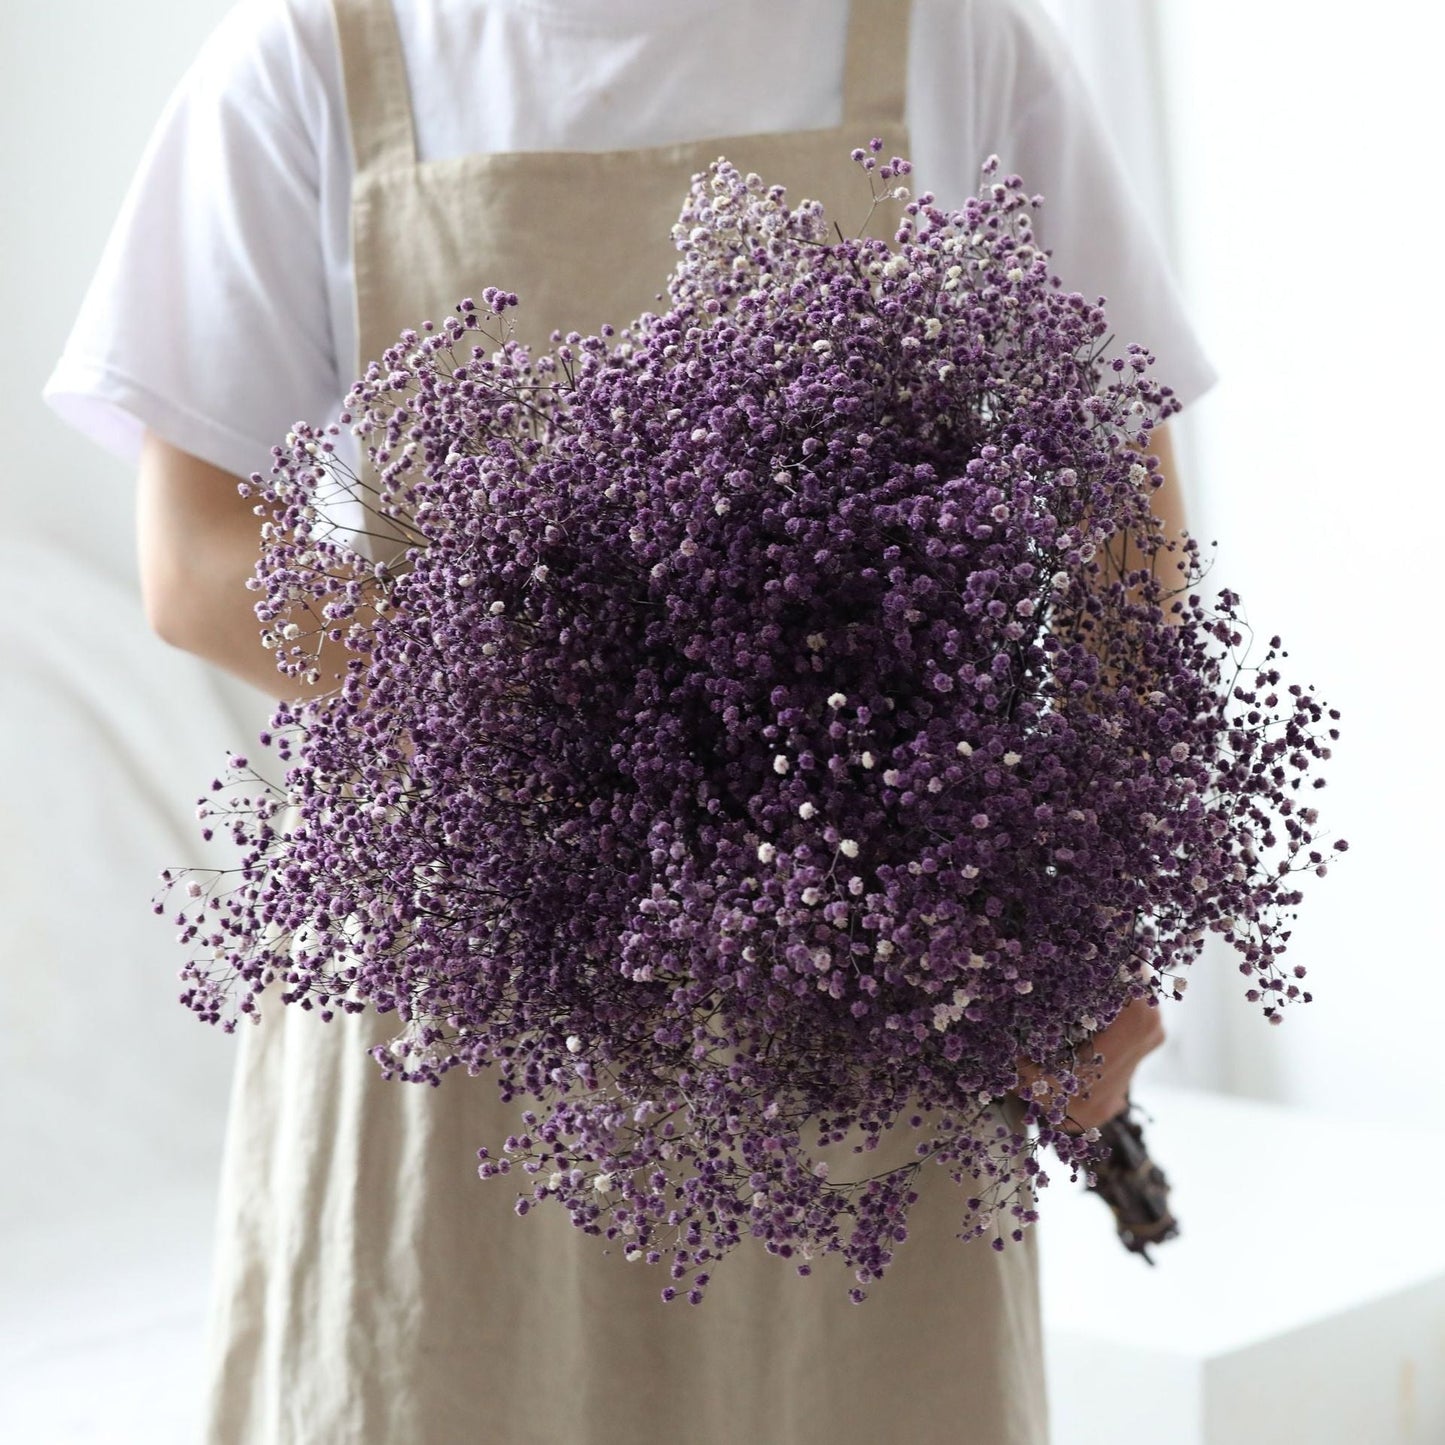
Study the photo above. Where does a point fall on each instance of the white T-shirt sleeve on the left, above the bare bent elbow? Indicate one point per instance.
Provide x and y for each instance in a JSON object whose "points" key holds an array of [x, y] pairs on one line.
{"points": [[209, 317]]}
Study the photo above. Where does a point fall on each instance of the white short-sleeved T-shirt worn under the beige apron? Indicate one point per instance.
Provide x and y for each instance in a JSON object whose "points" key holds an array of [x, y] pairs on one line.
{"points": [[222, 311]]}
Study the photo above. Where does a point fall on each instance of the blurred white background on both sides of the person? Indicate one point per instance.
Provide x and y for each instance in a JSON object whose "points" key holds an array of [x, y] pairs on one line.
{"points": [[1293, 163]]}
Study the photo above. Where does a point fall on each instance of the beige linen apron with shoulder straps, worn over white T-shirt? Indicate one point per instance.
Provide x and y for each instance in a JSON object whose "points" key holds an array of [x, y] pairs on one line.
{"points": [[371, 1290]]}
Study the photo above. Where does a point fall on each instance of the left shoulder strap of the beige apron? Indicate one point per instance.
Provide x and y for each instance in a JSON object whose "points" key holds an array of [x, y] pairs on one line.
{"points": [[379, 102]]}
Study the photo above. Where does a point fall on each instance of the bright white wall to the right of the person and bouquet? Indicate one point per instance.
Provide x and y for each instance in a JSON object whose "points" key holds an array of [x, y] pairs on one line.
{"points": [[1307, 142]]}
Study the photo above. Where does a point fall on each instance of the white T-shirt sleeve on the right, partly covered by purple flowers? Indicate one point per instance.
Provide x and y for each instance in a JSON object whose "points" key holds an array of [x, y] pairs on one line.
{"points": [[1028, 105]]}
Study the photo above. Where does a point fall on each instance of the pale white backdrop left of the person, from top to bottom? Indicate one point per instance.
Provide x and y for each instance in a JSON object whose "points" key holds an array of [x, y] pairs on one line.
{"points": [[112, 1096]]}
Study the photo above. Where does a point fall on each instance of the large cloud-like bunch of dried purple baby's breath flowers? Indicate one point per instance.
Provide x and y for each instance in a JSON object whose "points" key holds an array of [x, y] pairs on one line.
{"points": [[769, 730]]}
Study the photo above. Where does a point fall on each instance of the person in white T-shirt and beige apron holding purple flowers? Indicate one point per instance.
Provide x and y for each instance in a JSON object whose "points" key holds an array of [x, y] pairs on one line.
{"points": [[329, 173]]}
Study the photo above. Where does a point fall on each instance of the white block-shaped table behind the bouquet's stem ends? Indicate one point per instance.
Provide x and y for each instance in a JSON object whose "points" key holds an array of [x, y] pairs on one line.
{"points": [[1304, 1297]]}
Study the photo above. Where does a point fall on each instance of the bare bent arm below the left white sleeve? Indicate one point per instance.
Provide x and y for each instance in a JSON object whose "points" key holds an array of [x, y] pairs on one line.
{"points": [[199, 543]]}
